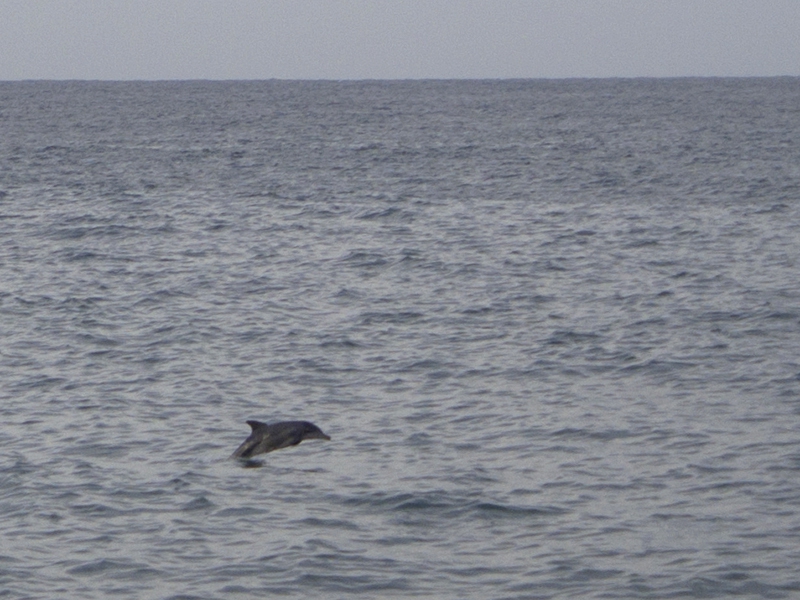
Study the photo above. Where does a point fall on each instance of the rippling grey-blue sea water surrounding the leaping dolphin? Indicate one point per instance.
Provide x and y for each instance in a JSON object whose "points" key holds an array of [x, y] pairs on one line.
{"points": [[553, 329]]}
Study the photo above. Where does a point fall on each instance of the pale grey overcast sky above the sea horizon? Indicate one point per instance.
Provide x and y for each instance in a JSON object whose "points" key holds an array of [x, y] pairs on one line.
{"points": [[388, 39]]}
